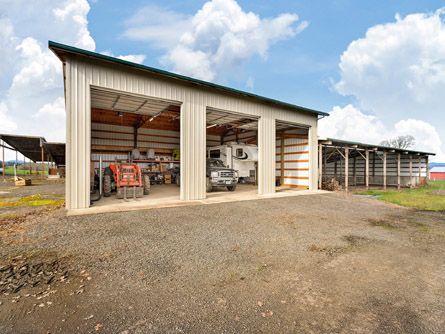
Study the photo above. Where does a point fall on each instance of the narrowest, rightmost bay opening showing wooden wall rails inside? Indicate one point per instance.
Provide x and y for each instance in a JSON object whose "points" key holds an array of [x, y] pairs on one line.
{"points": [[292, 156]]}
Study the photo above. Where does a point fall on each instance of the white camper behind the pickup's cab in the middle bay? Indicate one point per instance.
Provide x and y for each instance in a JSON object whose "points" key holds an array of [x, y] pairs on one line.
{"points": [[238, 156]]}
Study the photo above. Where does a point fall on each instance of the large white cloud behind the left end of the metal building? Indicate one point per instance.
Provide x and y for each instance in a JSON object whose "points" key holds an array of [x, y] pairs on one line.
{"points": [[31, 81]]}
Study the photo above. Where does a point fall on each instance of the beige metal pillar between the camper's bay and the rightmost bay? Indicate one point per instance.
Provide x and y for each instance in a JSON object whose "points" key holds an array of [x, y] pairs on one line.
{"points": [[266, 154]]}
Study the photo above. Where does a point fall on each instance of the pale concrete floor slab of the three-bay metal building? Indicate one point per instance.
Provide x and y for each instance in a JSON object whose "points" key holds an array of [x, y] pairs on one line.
{"points": [[167, 195]]}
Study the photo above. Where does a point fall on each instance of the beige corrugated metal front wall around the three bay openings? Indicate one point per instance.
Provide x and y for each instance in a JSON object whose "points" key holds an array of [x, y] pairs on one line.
{"points": [[82, 73]]}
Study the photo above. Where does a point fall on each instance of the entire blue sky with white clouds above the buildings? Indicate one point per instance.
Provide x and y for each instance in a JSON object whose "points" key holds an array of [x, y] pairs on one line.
{"points": [[378, 67]]}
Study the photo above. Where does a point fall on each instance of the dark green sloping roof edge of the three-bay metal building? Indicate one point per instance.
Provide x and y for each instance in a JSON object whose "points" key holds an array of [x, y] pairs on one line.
{"points": [[54, 46]]}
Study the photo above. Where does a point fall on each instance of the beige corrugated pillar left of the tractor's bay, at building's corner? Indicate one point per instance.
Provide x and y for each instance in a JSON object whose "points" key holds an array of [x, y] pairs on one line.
{"points": [[78, 137]]}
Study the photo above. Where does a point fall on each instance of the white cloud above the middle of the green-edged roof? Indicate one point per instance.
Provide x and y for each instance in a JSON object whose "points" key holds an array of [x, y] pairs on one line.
{"points": [[215, 41]]}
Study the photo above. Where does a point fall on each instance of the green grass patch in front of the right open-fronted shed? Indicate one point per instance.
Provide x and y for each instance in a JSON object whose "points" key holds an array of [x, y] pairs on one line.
{"points": [[430, 197]]}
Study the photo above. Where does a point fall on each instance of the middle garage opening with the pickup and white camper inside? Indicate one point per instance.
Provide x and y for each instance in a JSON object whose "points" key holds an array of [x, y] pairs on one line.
{"points": [[232, 154]]}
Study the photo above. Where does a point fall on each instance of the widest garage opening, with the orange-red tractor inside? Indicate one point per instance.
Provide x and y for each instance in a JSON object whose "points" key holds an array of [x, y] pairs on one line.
{"points": [[135, 148]]}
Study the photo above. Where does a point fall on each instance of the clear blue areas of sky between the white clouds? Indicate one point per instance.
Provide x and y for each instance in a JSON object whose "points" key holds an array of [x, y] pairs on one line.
{"points": [[298, 70]]}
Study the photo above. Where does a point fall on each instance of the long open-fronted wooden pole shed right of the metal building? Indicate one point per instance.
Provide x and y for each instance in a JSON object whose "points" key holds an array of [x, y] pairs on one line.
{"points": [[359, 164]]}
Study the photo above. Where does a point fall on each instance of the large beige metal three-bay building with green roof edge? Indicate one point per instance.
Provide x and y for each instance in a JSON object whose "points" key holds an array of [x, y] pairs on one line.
{"points": [[118, 110]]}
